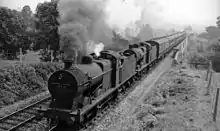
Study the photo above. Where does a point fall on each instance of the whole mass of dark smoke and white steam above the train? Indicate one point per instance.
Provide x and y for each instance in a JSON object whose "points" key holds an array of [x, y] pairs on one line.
{"points": [[86, 23]]}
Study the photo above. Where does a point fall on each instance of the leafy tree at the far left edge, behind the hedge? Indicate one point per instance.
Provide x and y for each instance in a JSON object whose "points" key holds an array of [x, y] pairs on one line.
{"points": [[13, 33]]}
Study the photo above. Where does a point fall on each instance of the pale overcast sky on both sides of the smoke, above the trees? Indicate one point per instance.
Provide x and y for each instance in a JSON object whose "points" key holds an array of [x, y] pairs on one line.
{"points": [[181, 12]]}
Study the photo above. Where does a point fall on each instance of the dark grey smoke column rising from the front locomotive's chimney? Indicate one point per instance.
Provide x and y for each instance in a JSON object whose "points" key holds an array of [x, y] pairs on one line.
{"points": [[82, 21]]}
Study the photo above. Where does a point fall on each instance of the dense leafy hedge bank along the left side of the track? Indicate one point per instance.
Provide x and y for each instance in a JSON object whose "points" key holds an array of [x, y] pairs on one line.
{"points": [[20, 81]]}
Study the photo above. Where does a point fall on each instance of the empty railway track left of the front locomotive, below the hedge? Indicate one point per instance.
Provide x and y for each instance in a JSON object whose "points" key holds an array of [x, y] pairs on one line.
{"points": [[22, 119]]}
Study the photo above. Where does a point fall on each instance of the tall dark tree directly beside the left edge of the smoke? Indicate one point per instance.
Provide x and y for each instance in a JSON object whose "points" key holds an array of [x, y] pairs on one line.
{"points": [[47, 25]]}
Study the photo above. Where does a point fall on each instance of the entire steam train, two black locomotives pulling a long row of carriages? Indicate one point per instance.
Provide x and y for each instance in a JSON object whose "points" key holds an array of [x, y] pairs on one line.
{"points": [[79, 91]]}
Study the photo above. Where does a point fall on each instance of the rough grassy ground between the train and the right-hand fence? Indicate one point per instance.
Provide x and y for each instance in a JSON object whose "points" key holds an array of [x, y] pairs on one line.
{"points": [[177, 102]]}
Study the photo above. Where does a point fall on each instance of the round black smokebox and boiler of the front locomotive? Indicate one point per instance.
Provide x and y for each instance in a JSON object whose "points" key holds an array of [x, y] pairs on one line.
{"points": [[65, 85]]}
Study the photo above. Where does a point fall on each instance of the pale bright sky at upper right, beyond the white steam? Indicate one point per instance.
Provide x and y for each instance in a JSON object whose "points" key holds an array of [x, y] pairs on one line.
{"points": [[198, 13]]}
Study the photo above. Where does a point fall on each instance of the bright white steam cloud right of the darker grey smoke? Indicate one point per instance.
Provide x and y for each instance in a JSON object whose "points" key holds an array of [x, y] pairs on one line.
{"points": [[123, 15]]}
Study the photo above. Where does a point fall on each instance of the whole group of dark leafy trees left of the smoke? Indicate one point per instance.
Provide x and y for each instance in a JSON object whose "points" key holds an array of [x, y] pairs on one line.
{"points": [[22, 29]]}
